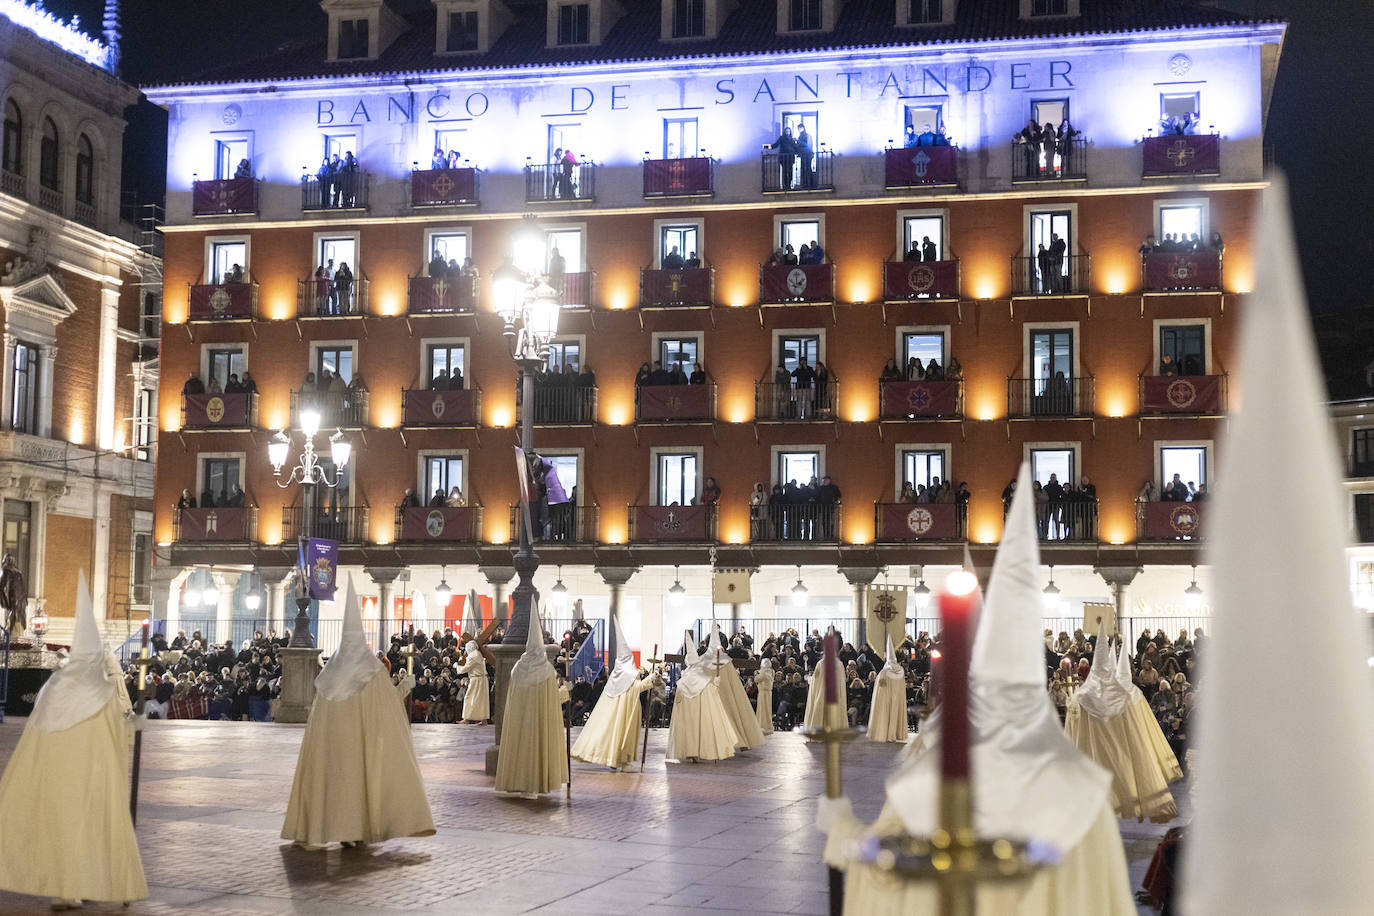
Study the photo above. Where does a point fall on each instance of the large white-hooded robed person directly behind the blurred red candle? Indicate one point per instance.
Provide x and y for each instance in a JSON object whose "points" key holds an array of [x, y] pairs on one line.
{"points": [[1028, 781]]}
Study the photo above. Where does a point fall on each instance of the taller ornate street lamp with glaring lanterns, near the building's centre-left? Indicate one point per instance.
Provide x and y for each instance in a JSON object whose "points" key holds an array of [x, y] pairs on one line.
{"points": [[528, 307]]}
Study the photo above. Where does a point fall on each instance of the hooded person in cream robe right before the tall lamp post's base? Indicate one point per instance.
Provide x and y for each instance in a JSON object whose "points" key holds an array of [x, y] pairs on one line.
{"points": [[534, 755]]}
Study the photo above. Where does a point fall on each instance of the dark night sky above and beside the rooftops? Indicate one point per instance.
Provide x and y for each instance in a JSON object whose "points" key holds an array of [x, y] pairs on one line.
{"points": [[1320, 120]]}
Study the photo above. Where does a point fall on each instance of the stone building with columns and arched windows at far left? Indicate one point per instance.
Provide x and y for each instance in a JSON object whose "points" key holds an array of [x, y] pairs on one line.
{"points": [[80, 289]]}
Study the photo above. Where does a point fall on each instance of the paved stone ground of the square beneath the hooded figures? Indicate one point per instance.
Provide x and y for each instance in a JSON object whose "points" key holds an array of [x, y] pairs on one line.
{"points": [[733, 837]]}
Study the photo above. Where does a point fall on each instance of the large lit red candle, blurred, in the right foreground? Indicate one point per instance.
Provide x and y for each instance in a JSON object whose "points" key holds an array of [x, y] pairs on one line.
{"points": [[958, 605]]}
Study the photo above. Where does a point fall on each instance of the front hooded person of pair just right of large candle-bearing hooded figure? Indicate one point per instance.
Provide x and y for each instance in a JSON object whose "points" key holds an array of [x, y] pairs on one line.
{"points": [[1101, 723]]}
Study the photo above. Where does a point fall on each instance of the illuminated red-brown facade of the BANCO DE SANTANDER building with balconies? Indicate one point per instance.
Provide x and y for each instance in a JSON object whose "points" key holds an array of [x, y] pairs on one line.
{"points": [[674, 112]]}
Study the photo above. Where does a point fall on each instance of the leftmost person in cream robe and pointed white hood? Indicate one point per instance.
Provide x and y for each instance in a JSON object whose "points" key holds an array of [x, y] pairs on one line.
{"points": [[65, 793]]}
